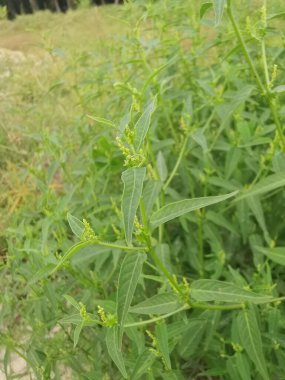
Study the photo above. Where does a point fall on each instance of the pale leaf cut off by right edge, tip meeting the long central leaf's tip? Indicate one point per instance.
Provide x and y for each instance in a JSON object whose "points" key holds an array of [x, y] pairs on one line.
{"points": [[265, 185]]}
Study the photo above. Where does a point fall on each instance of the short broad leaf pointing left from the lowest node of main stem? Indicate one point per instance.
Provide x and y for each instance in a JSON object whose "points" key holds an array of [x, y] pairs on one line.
{"points": [[159, 304]]}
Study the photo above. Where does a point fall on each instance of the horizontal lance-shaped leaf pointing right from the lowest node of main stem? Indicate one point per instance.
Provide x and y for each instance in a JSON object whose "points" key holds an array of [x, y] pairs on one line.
{"points": [[214, 290]]}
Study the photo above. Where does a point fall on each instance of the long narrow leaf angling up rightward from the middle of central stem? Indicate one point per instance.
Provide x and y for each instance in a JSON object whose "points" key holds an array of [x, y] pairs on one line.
{"points": [[175, 209]]}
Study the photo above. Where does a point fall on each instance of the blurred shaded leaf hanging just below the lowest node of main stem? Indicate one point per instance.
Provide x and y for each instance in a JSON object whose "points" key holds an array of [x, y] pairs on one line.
{"points": [[191, 338]]}
